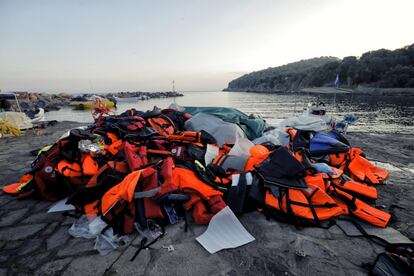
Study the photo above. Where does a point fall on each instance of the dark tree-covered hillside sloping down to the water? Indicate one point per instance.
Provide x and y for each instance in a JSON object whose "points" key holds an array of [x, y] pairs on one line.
{"points": [[380, 69]]}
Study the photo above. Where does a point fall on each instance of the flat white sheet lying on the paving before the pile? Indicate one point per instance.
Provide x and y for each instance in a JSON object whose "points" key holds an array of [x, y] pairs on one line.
{"points": [[224, 231]]}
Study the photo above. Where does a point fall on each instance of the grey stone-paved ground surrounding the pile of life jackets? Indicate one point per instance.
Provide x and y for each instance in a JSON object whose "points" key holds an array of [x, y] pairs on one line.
{"points": [[35, 242]]}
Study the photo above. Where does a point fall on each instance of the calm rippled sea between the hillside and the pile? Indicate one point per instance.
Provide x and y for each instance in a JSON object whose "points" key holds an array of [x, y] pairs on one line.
{"points": [[386, 114]]}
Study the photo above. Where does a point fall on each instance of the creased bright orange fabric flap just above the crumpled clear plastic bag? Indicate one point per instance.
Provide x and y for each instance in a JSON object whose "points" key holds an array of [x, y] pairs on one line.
{"points": [[124, 190]]}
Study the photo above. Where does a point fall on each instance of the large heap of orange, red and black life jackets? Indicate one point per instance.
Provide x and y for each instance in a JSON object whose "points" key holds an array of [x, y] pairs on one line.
{"points": [[146, 169]]}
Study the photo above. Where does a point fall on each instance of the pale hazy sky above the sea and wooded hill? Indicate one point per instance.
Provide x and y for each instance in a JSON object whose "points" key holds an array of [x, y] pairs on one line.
{"points": [[96, 45]]}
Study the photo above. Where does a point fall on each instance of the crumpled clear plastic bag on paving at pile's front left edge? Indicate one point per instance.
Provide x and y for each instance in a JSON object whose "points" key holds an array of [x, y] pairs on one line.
{"points": [[105, 242]]}
